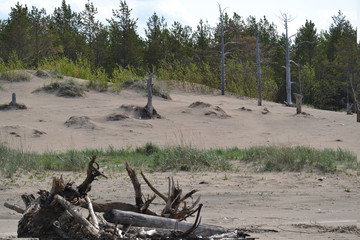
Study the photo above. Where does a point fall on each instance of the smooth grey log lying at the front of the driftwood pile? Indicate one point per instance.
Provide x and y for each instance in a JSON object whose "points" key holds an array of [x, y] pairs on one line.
{"points": [[142, 220]]}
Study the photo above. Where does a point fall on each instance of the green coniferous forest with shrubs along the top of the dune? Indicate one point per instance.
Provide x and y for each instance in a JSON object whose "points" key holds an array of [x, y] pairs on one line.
{"points": [[325, 66]]}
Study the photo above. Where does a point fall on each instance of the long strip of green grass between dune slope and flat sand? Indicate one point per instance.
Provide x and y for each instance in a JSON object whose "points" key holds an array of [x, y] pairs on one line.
{"points": [[184, 158]]}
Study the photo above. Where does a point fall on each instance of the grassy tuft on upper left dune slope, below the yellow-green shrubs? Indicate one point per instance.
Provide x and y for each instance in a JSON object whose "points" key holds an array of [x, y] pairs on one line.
{"points": [[66, 88]]}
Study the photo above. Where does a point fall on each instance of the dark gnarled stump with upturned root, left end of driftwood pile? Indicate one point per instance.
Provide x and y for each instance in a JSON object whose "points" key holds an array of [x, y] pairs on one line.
{"points": [[42, 215]]}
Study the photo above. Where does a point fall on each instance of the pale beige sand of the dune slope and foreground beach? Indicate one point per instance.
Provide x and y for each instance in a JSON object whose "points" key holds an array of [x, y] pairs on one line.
{"points": [[267, 205]]}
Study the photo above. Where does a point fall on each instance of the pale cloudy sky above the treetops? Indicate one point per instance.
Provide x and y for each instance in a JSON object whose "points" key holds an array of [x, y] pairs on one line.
{"points": [[189, 12]]}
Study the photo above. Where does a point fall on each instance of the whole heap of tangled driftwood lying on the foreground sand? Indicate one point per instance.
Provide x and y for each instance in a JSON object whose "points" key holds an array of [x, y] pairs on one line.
{"points": [[54, 215]]}
